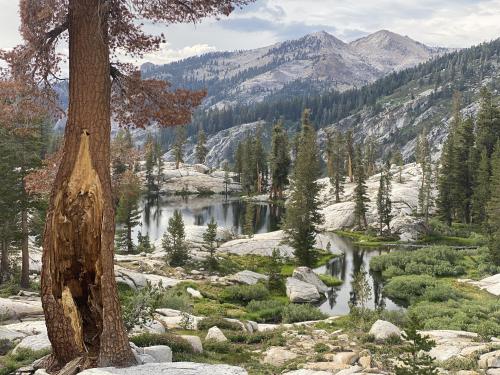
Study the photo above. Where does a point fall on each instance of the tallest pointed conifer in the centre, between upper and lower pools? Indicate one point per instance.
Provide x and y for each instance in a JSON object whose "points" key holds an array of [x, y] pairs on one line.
{"points": [[302, 214]]}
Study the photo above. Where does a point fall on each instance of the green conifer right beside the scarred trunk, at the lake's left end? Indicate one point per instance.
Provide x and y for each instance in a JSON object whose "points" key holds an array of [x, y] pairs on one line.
{"points": [[128, 214]]}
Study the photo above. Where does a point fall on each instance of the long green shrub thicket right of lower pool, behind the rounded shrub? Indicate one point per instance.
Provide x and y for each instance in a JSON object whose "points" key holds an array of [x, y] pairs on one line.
{"points": [[434, 261]]}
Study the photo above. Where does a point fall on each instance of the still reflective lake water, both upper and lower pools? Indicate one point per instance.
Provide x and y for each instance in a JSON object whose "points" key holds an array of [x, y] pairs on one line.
{"points": [[242, 217]]}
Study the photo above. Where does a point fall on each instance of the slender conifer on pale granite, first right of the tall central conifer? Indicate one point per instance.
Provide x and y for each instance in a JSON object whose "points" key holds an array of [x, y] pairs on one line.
{"points": [[336, 152]]}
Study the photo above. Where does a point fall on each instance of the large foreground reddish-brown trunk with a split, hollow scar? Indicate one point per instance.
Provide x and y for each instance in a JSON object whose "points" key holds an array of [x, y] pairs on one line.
{"points": [[79, 293]]}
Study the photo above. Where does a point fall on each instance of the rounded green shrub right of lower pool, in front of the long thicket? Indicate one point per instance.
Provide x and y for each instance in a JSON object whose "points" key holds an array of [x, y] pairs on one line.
{"points": [[412, 288]]}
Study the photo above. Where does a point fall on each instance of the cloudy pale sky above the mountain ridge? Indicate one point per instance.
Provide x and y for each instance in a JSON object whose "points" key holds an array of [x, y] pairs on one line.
{"points": [[448, 23]]}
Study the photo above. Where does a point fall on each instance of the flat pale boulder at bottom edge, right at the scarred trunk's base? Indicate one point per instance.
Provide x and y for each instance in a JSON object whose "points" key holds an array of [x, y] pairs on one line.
{"points": [[176, 368]]}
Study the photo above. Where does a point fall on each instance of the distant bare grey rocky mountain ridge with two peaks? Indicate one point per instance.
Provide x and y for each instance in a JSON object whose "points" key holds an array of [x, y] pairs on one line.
{"points": [[316, 62]]}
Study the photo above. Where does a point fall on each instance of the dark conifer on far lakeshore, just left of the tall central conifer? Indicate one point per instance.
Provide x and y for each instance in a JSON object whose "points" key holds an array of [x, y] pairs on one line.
{"points": [[280, 161]]}
